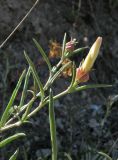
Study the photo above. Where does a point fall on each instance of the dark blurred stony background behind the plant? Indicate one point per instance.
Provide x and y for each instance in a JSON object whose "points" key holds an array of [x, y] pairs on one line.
{"points": [[78, 116]]}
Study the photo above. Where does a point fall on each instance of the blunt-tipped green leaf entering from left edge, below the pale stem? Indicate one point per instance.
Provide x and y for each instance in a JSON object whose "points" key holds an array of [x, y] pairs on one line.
{"points": [[10, 139]]}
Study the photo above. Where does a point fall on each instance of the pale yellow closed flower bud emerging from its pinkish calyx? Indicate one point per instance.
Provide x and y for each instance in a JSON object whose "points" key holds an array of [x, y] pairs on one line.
{"points": [[92, 55]]}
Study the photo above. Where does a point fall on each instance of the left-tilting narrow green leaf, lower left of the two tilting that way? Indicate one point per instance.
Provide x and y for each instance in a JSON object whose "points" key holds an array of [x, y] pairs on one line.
{"points": [[35, 74]]}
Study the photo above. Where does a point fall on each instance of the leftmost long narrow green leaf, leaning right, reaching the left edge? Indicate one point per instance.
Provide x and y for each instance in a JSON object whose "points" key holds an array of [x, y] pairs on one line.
{"points": [[6, 113]]}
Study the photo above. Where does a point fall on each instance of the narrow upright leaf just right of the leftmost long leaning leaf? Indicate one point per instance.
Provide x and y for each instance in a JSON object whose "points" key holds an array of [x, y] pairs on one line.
{"points": [[24, 92]]}
